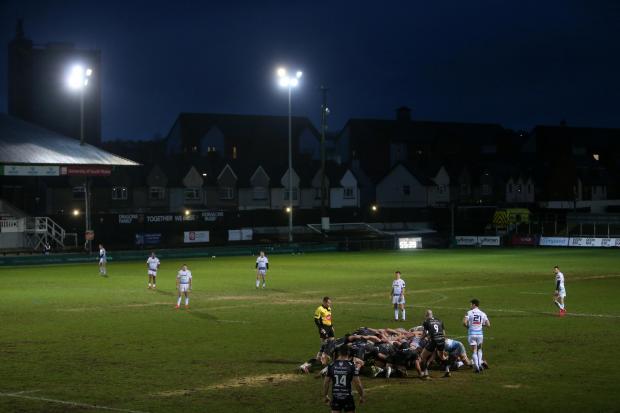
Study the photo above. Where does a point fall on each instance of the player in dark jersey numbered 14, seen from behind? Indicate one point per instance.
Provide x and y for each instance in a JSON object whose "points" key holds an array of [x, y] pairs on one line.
{"points": [[341, 373]]}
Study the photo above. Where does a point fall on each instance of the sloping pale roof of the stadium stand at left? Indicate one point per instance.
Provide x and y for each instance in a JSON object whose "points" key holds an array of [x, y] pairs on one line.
{"points": [[27, 144]]}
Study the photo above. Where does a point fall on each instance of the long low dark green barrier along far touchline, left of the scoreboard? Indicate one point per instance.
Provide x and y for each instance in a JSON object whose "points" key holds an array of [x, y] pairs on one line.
{"points": [[168, 253]]}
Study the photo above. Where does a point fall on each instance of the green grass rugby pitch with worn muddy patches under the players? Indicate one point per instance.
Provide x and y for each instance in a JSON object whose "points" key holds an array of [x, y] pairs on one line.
{"points": [[72, 341]]}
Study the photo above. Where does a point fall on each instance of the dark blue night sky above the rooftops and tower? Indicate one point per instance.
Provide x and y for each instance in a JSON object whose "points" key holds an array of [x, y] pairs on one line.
{"points": [[517, 63]]}
